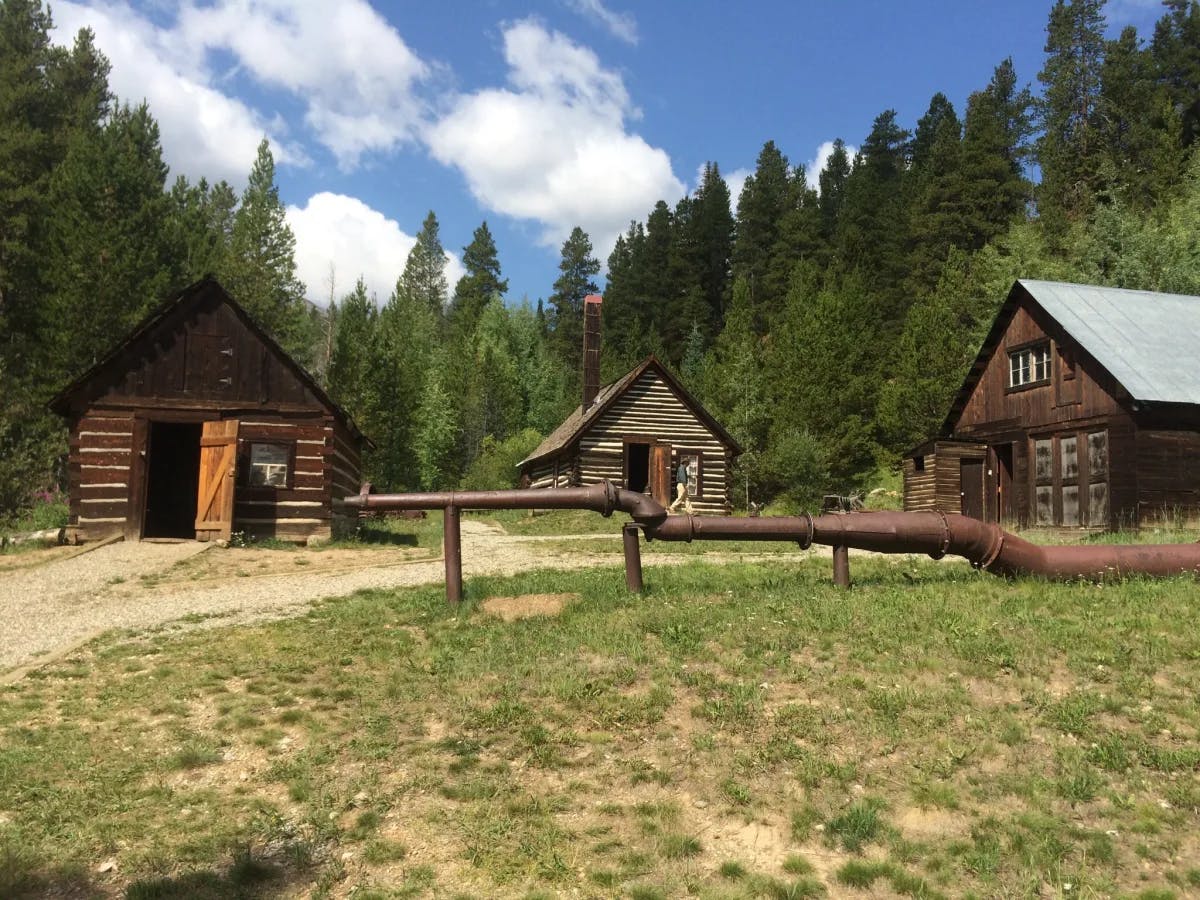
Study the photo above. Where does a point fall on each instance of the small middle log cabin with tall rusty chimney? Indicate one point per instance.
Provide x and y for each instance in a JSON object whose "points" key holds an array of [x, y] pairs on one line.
{"points": [[635, 433]]}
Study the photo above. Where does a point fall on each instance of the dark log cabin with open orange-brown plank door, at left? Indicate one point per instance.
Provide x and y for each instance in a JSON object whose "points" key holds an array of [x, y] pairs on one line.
{"points": [[199, 425]]}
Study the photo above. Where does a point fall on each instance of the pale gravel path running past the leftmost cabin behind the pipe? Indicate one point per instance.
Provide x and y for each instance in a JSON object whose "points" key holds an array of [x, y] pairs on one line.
{"points": [[47, 610]]}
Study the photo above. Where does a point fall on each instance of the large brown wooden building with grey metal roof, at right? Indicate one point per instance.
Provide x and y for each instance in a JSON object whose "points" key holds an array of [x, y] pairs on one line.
{"points": [[1082, 411]]}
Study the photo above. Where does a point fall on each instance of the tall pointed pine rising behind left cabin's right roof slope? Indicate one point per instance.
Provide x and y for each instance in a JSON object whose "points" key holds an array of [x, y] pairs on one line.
{"points": [[261, 272]]}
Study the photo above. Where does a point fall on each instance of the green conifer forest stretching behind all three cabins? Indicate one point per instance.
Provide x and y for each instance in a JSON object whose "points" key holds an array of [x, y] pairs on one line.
{"points": [[827, 326]]}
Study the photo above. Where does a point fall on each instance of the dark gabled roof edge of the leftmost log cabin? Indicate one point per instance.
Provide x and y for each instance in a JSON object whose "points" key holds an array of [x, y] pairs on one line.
{"points": [[182, 303]]}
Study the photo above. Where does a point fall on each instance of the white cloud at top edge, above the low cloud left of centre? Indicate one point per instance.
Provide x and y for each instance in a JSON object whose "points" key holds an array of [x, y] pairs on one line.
{"points": [[350, 67]]}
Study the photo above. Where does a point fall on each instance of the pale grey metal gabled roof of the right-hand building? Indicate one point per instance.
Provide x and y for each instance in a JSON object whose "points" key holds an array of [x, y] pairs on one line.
{"points": [[1148, 341]]}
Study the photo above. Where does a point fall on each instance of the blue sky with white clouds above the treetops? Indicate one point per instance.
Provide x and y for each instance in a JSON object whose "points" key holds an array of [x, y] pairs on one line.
{"points": [[536, 117]]}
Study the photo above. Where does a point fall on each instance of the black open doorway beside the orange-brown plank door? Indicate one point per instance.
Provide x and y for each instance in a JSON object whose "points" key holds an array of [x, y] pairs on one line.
{"points": [[173, 475]]}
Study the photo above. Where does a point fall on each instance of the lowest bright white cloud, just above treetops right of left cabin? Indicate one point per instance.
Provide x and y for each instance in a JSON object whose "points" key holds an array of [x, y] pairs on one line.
{"points": [[340, 233]]}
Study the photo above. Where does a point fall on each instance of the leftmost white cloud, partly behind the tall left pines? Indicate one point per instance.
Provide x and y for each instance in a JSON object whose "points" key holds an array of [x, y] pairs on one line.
{"points": [[203, 131]]}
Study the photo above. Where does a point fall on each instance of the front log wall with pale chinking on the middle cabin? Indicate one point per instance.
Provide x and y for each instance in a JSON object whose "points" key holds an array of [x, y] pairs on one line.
{"points": [[651, 410]]}
